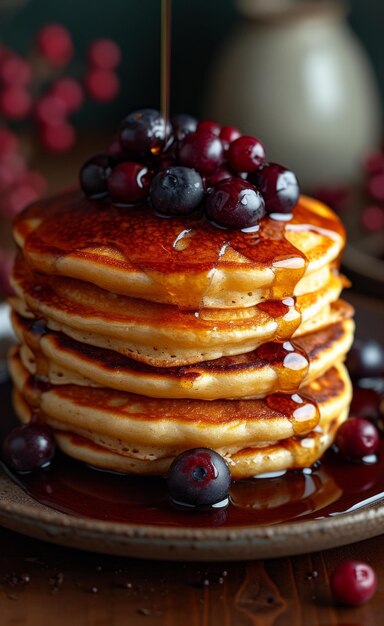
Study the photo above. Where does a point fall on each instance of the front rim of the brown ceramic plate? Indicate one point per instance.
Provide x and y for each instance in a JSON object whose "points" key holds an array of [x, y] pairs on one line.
{"points": [[19, 512]]}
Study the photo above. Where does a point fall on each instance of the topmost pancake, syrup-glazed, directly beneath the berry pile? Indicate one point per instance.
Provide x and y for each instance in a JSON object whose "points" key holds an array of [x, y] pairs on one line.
{"points": [[181, 261]]}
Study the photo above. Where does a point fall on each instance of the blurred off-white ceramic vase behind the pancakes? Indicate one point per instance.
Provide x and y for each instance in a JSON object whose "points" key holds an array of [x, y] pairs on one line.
{"points": [[294, 75]]}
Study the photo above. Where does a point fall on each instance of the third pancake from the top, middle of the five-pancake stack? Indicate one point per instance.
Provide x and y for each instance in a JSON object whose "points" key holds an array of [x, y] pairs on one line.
{"points": [[273, 367]]}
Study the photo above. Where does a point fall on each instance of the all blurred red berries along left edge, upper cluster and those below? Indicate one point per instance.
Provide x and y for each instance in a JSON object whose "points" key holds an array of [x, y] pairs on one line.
{"points": [[38, 91]]}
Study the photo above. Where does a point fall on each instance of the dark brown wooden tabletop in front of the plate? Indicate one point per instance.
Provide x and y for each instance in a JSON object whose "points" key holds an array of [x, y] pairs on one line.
{"points": [[44, 584]]}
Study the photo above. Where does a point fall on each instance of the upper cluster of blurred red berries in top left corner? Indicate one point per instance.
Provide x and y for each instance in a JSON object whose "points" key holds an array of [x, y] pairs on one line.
{"points": [[35, 87]]}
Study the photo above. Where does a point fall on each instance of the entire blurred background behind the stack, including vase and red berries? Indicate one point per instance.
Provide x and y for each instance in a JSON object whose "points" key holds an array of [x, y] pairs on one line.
{"points": [[305, 76]]}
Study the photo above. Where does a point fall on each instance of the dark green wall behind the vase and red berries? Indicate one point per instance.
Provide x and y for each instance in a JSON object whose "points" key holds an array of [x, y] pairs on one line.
{"points": [[199, 27]]}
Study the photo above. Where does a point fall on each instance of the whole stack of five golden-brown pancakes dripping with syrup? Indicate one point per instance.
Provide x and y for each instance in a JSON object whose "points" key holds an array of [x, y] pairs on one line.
{"points": [[141, 336]]}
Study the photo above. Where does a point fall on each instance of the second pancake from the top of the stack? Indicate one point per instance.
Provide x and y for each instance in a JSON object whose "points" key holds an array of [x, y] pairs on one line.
{"points": [[163, 335]]}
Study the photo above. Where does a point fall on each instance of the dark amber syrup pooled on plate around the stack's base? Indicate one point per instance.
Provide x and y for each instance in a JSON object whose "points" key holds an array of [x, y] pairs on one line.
{"points": [[333, 487]]}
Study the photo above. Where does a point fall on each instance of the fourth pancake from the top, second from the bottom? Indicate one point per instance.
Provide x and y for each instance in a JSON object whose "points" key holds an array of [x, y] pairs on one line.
{"points": [[132, 420]]}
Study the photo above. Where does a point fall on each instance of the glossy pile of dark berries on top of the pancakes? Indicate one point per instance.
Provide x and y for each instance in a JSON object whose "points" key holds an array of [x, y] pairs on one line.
{"points": [[186, 166]]}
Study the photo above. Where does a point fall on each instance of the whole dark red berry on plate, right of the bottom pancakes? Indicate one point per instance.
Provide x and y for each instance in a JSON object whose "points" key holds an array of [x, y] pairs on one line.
{"points": [[356, 438]]}
